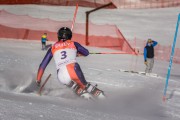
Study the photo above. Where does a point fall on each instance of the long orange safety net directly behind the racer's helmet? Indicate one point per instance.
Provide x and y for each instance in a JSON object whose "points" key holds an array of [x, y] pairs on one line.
{"points": [[26, 27]]}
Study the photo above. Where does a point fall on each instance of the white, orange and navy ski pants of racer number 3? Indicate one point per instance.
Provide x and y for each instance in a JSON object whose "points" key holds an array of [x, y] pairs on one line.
{"points": [[71, 72]]}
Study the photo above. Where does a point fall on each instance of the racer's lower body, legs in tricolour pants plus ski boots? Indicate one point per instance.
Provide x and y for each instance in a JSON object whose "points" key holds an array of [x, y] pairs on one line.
{"points": [[72, 76]]}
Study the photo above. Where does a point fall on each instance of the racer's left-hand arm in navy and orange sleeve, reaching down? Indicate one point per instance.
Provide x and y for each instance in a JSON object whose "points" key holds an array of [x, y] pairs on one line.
{"points": [[43, 64]]}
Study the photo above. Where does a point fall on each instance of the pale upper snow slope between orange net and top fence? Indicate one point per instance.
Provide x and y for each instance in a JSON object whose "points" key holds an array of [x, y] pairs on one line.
{"points": [[158, 24]]}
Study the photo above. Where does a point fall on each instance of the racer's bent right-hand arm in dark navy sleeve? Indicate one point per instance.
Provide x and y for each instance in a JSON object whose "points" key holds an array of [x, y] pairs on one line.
{"points": [[81, 49]]}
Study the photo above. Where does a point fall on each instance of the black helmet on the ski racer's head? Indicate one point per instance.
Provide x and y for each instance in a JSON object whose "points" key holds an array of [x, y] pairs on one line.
{"points": [[64, 34]]}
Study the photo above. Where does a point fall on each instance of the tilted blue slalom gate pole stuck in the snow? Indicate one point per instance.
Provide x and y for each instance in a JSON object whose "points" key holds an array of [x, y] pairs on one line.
{"points": [[171, 58]]}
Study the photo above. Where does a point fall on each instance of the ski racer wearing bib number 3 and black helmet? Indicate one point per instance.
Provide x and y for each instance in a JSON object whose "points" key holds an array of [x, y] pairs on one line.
{"points": [[69, 72]]}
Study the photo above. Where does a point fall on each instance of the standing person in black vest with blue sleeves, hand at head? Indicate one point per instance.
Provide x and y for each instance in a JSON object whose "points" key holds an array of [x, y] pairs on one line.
{"points": [[149, 55]]}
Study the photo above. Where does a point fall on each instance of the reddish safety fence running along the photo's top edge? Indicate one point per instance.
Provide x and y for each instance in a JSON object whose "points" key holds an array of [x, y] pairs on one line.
{"points": [[97, 3]]}
